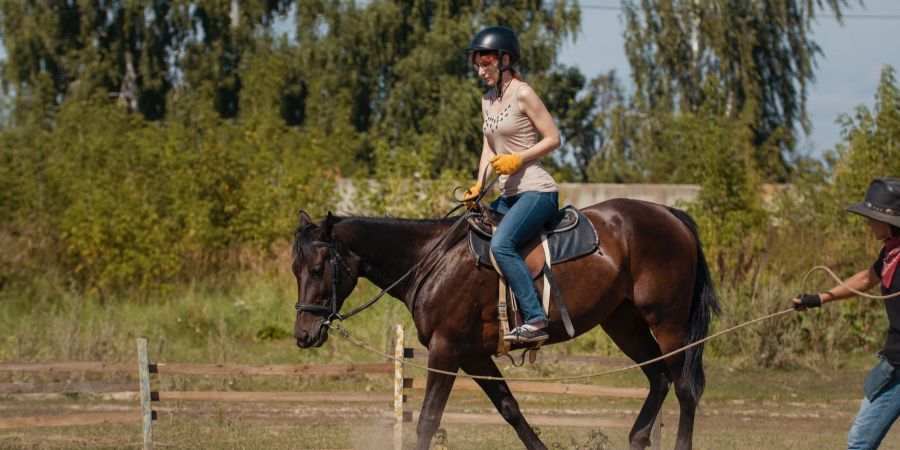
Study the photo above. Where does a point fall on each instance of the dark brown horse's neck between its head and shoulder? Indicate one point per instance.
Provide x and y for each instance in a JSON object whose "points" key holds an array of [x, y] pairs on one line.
{"points": [[388, 248]]}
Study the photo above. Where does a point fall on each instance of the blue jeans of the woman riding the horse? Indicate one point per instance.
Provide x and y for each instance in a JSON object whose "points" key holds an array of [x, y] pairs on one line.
{"points": [[526, 214]]}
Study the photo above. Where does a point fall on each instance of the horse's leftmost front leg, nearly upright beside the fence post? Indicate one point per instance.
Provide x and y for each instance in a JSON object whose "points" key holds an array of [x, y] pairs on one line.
{"points": [[437, 391]]}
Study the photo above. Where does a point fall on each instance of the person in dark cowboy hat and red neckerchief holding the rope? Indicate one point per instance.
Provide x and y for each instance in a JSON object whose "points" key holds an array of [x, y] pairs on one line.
{"points": [[881, 405]]}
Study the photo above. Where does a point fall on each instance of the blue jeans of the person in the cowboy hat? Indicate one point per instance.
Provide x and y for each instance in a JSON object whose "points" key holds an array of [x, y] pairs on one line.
{"points": [[875, 418]]}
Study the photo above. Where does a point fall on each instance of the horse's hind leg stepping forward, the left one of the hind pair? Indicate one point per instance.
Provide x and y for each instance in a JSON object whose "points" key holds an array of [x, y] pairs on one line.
{"points": [[630, 332]]}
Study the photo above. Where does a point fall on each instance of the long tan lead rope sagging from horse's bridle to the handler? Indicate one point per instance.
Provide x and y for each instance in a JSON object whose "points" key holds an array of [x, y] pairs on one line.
{"points": [[340, 330]]}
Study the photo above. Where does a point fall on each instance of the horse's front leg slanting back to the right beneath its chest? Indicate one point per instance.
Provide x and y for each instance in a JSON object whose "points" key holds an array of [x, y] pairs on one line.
{"points": [[501, 396]]}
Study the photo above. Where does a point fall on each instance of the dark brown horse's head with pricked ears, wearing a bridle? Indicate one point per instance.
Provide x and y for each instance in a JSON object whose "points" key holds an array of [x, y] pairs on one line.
{"points": [[326, 274]]}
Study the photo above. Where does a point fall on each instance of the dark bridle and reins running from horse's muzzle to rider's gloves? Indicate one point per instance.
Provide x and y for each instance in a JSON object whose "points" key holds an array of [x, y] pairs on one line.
{"points": [[335, 259]]}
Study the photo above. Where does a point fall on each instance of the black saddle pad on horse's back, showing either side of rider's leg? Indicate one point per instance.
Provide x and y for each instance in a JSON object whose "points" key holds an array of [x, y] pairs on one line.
{"points": [[571, 244]]}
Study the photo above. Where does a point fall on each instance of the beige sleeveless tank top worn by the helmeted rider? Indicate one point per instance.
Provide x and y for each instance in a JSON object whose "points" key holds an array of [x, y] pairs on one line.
{"points": [[511, 131]]}
